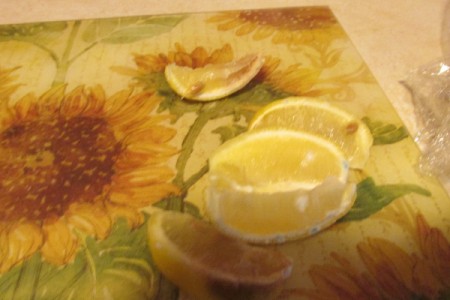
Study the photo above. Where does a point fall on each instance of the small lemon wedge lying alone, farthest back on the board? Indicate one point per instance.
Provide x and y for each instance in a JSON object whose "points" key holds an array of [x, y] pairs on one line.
{"points": [[213, 81]]}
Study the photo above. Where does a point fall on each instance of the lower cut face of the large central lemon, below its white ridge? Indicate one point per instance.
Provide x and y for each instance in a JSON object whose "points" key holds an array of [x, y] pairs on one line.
{"points": [[277, 217]]}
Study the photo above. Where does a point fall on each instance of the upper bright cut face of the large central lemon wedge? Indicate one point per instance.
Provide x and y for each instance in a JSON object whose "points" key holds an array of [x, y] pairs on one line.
{"points": [[278, 160]]}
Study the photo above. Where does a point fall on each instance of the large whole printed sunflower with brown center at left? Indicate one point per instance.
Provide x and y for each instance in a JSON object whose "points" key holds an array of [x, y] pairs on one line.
{"points": [[72, 163]]}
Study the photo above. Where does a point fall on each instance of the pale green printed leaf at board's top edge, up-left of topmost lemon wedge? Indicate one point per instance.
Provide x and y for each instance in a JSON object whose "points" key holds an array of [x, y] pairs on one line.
{"points": [[128, 30]]}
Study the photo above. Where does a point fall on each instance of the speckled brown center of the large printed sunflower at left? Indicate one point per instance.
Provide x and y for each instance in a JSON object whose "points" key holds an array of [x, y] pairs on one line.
{"points": [[46, 165]]}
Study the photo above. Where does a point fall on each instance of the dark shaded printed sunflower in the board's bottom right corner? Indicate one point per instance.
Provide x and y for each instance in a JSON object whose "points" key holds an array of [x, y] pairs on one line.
{"points": [[392, 273]]}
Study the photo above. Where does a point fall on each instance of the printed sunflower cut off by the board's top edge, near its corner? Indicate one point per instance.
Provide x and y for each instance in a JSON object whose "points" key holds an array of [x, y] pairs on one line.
{"points": [[294, 27]]}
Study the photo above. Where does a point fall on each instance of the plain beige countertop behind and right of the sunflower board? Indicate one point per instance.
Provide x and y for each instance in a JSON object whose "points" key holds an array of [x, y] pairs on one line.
{"points": [[393, 36]]}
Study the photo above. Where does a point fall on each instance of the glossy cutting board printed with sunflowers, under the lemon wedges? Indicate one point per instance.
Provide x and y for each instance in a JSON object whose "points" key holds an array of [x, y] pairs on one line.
{"points": [[91, 136]]}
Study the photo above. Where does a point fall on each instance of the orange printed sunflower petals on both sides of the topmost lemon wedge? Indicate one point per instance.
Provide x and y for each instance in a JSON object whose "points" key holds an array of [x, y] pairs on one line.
{"points": [[297, 79]]}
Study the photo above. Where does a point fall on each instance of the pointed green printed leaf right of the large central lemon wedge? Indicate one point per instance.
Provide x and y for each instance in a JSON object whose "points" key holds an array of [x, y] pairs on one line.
{"points": [[371, 197]]}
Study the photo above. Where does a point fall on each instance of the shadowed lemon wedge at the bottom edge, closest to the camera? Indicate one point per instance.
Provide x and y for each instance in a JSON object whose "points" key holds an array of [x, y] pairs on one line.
{"points": [[206, 264]]}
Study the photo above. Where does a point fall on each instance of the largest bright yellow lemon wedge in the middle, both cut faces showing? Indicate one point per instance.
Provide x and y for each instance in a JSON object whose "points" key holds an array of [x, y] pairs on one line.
{"points": [[275, 185]]}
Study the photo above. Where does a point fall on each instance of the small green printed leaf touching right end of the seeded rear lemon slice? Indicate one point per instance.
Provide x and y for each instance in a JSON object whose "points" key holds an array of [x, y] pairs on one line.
{"points": [[385, 133]]}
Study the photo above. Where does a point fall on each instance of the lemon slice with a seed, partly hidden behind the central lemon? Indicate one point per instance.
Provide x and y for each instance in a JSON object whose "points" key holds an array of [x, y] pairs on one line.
{"points": [[320, 118]]}
